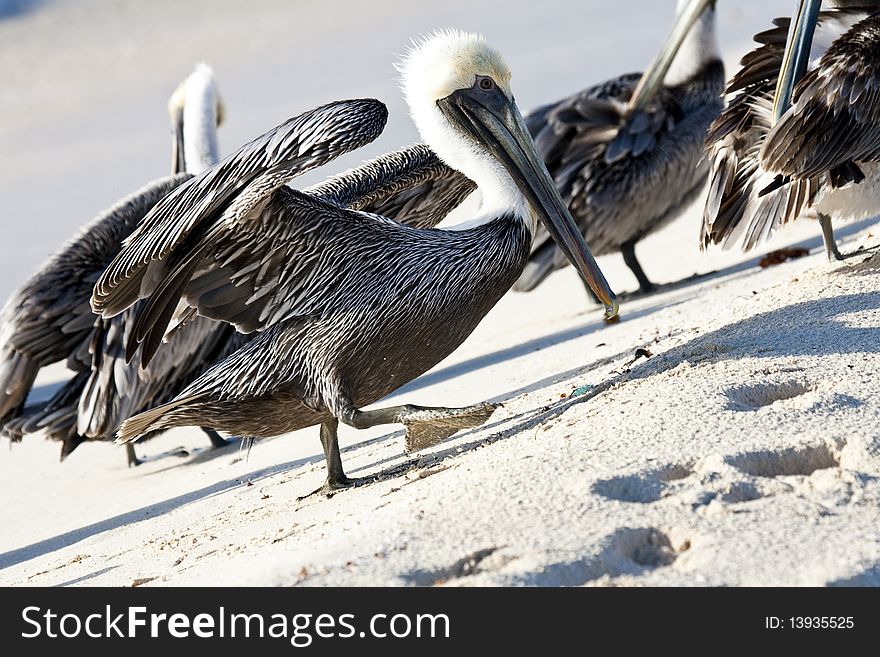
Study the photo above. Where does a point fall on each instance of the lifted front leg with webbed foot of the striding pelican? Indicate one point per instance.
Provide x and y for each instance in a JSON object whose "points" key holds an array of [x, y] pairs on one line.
{"points": [[425, 425]]}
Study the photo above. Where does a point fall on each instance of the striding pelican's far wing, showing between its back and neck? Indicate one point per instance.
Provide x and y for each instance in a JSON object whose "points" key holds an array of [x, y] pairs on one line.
{"points": [[411, 186]]}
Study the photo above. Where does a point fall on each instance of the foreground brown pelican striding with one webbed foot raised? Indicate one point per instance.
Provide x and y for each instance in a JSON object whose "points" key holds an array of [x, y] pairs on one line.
{"points": [[349, 306]]}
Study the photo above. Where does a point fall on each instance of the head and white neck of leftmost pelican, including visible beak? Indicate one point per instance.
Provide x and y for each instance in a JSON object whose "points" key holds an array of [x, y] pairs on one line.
{"points": [[196, 110]]}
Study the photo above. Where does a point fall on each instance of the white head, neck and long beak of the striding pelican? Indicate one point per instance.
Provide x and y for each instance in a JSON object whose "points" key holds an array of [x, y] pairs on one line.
{"points": [[458, 91]]}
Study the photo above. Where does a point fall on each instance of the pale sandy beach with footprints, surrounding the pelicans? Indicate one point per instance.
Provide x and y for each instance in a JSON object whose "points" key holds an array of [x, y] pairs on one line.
{"points": [[745, 451]]}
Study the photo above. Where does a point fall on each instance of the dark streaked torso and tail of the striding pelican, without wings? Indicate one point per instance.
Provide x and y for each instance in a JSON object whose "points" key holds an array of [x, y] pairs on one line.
{"points": [[359, 340]]}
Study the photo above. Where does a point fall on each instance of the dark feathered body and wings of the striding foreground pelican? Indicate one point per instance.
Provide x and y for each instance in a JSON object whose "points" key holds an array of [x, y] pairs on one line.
{"points": [[348, 305]]}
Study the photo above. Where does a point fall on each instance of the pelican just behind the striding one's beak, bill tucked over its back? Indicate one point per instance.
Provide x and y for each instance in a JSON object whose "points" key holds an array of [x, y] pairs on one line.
{"points": [[627, 154]]}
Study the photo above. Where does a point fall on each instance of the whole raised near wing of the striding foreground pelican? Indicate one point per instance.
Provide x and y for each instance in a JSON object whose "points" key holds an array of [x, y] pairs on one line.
{"points": [[161, 258]]}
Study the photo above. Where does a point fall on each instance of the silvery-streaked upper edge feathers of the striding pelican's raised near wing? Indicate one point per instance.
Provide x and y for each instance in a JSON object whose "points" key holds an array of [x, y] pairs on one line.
{"points": [[232, 192]]}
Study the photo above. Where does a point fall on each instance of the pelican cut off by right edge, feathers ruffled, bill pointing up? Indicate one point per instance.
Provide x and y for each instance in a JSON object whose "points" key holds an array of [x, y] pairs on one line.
{"points": [[800, 132]]}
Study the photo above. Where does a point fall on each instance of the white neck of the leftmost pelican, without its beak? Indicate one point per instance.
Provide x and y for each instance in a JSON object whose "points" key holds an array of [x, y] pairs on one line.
{"points": [[200, 121]]}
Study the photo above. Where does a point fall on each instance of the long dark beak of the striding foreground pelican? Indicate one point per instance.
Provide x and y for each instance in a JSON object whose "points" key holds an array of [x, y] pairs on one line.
{"points": [[494, 121]]}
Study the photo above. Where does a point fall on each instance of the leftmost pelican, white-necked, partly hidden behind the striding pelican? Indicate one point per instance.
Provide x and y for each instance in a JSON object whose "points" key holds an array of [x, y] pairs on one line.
{"points": [[48, 319]]}
